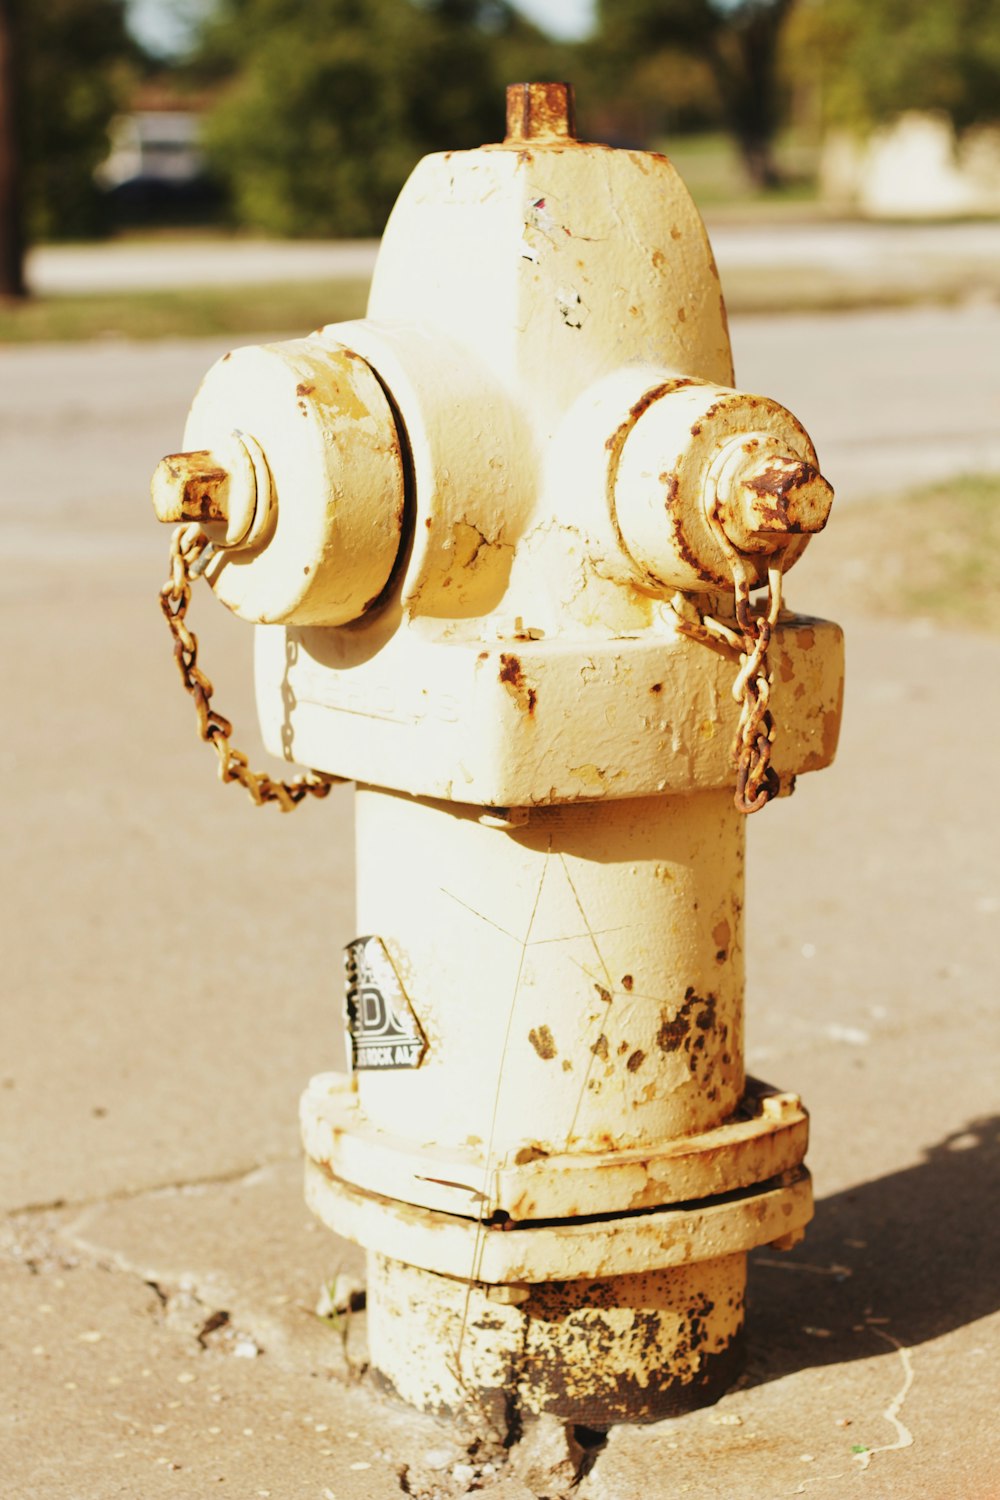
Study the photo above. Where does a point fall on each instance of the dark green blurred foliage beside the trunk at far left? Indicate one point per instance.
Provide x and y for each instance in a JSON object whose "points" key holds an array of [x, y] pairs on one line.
{"points": [[77, 70]]}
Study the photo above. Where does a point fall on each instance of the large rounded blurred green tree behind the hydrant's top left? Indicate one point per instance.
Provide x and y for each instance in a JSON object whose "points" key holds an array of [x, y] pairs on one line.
{"points": [[326, 106]]}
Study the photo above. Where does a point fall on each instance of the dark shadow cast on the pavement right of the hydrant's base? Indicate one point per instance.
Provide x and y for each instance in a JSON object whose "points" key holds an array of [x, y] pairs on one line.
{"points": [[912, 1256]]}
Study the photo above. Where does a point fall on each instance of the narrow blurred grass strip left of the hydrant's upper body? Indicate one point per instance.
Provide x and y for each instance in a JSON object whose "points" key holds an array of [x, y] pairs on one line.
{"points": [[191, 313]]}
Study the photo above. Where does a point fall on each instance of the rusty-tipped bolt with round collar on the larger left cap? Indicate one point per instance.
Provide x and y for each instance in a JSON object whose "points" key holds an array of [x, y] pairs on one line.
{"points": [[230, 488]]}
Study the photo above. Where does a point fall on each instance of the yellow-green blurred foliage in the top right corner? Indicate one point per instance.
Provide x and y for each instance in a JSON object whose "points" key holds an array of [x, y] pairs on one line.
{"points": [[873, 59]]}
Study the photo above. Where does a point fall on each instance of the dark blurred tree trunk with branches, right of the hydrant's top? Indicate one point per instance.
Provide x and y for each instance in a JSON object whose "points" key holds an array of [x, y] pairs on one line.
{"points": [[737, 40]]}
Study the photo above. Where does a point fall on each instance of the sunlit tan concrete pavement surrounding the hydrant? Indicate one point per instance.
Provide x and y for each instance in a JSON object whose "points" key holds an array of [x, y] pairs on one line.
{"points": [[173, 977]]}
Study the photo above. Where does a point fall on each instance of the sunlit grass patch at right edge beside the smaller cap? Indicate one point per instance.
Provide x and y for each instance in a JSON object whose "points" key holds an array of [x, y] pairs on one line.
{"points": [[930, 554]]}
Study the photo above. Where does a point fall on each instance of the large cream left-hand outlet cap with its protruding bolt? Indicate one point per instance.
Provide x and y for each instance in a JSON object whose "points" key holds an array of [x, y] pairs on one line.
{"points": [[310, 512]]}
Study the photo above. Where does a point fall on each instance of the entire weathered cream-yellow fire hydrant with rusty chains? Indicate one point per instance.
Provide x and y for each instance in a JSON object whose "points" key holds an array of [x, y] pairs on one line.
{"points": [[503, 542]]}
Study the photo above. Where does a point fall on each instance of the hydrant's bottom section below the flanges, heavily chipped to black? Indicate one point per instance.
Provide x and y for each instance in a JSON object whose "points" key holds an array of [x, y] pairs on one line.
{"points": [[594, 1352]]}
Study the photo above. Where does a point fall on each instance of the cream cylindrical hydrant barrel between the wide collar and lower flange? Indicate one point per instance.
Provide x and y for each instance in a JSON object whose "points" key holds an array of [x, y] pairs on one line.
{"points": [[591, 962]]}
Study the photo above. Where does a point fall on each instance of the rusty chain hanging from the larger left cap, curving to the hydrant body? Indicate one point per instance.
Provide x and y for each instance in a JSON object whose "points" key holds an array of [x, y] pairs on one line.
{"points": [[190, 554]]}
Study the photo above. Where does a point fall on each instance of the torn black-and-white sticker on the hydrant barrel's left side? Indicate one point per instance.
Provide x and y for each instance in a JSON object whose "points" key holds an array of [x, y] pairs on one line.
{"points": [[382, 1025]]}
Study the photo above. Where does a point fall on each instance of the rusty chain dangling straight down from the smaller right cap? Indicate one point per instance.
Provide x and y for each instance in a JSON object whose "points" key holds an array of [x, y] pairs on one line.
{"points": [[756, 779]]}
